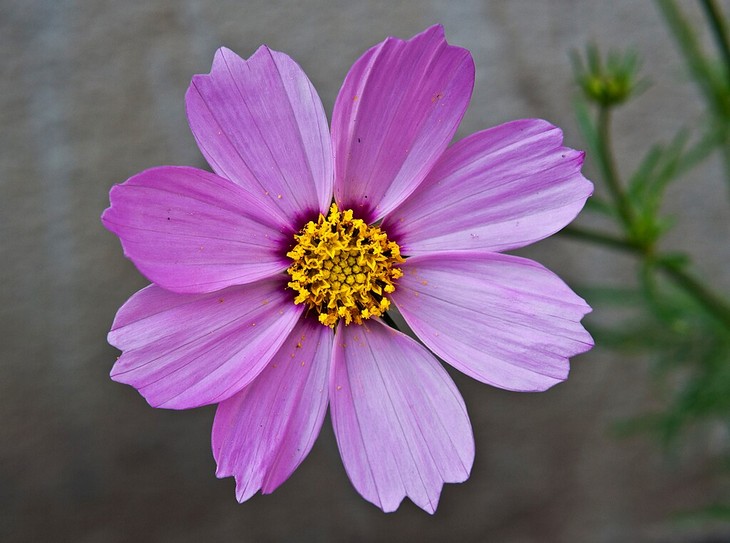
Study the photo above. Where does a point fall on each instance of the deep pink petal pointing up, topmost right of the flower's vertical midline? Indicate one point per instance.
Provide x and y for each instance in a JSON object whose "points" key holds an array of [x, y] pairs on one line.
{"points": [[398, 109]]}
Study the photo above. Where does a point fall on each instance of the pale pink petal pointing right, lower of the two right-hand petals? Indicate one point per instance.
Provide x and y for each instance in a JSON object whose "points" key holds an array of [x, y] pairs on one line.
{"points": [[501, 319]]}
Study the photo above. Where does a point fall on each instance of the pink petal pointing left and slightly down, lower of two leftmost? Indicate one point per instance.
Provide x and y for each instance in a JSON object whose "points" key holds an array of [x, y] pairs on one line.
{"points": [[187, 350]]}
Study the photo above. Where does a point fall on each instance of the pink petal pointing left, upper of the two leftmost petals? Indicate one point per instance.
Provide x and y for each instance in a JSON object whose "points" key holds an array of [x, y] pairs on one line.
{"points": [[191, 231]]}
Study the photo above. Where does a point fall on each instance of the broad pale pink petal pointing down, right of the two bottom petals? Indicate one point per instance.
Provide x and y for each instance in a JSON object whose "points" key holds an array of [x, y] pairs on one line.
{"points": [[401, 425]]}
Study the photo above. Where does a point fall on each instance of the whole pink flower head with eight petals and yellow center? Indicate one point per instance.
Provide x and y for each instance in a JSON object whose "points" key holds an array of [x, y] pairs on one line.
{"points": [[268, 299]]}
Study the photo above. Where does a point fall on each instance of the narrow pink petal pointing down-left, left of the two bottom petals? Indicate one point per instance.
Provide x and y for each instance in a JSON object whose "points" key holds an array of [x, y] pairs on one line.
{"points": [[263, 433]]}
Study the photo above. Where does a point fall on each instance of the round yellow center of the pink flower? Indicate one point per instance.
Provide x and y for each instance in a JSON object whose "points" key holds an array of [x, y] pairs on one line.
{"points": [[343, 268]]}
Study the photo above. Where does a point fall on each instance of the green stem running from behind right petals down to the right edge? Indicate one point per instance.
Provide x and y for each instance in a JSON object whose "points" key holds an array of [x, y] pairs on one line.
{"points": [[713, 304]]}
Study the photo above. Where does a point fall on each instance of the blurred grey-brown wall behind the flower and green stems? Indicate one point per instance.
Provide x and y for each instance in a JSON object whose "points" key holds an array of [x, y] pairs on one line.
{"points": [[92, 92]]}
